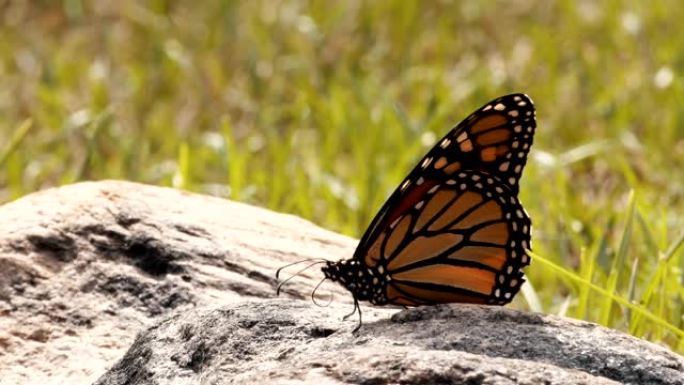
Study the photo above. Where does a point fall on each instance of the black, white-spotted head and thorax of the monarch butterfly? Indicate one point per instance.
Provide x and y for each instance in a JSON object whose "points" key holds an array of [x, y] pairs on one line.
{"points": [[362, 282]]}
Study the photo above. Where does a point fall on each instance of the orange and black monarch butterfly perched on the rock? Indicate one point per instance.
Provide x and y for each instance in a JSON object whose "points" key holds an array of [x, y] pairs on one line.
{"points": [[454, 230]]}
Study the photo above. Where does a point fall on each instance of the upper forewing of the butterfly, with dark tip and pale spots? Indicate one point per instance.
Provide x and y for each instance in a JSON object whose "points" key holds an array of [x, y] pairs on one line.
{"points": [[494, 140]]}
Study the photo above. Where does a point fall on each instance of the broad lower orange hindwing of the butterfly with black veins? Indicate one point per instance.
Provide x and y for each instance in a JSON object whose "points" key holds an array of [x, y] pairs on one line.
{"points": [[462, 240]]}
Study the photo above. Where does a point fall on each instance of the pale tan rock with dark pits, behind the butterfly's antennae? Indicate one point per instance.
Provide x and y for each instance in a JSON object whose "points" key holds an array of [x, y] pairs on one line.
{"points": [[87, 266]]}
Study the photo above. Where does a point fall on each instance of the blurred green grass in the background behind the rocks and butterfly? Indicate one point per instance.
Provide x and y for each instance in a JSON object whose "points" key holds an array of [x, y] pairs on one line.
{"points": [[320, 108]]}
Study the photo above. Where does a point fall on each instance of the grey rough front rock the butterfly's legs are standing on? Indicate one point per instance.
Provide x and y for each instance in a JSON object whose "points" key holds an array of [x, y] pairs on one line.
{"points": [[288, 342]]}
